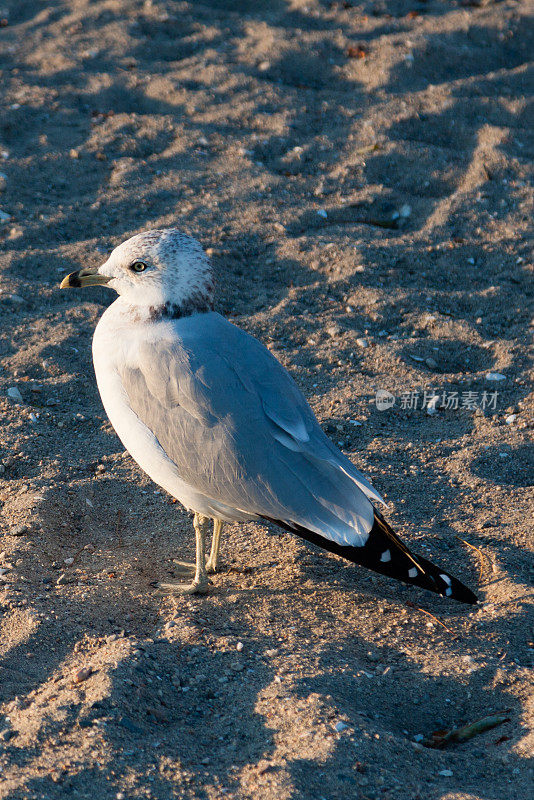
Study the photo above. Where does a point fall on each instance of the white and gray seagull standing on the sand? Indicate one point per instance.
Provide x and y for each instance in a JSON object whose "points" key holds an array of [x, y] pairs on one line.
{"points": [[214, 419]]}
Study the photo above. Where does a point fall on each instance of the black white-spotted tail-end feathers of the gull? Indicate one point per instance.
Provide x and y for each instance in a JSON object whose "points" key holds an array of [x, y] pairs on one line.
{"points": [[385, 553]]}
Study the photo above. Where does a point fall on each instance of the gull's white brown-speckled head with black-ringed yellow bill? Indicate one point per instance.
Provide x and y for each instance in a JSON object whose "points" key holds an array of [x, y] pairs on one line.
{"points": [[160, 270]]}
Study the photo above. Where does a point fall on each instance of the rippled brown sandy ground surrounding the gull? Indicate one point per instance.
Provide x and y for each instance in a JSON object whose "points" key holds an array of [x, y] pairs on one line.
{"points": [[359, 174]]}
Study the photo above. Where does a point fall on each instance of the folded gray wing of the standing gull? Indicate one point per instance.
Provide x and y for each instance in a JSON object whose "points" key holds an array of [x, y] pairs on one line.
{"points": [[240, 432]]}
